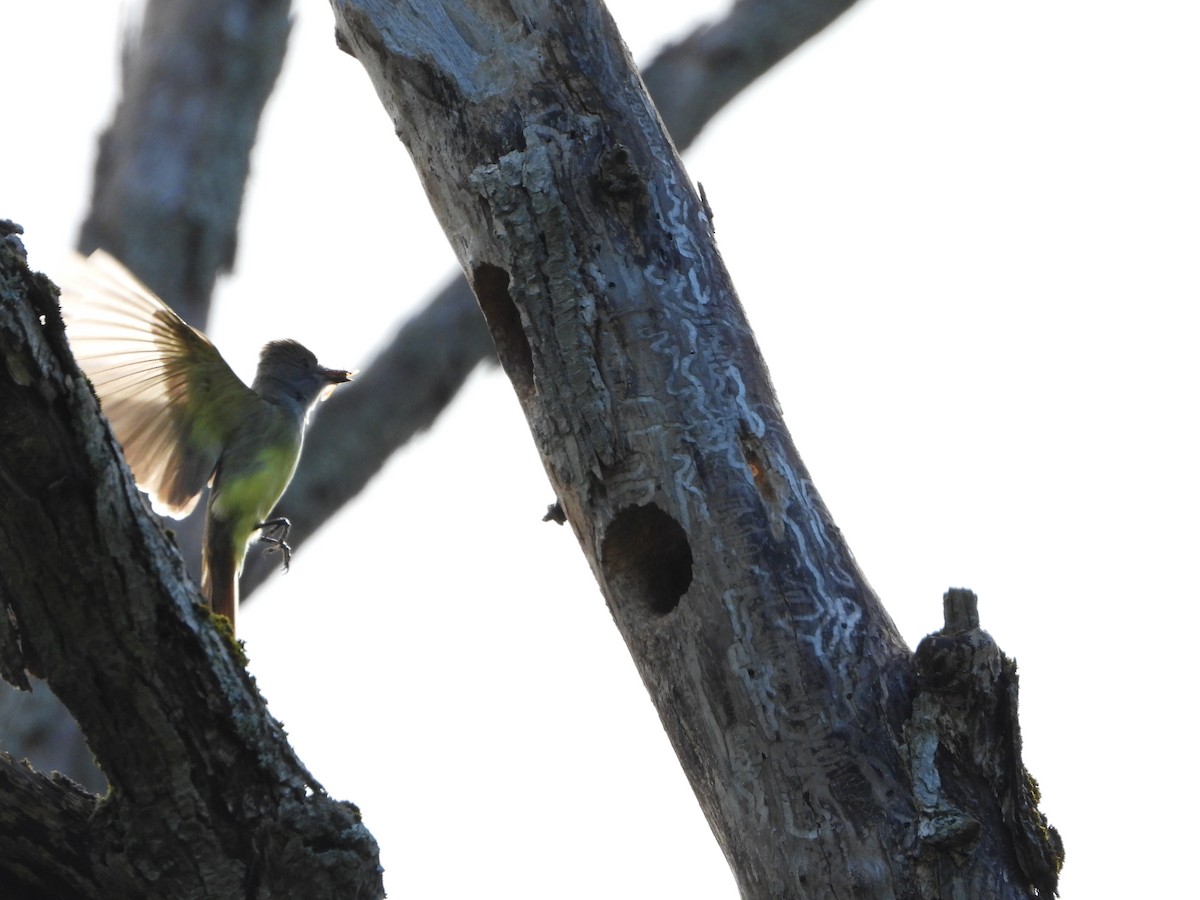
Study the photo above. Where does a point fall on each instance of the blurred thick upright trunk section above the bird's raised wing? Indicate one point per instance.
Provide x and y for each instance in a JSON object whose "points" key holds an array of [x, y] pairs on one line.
{"points": [[172, 167]]}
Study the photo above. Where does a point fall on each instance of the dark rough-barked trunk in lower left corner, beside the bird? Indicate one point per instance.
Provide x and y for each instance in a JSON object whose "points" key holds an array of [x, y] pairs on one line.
{"points": [[207, 799]]}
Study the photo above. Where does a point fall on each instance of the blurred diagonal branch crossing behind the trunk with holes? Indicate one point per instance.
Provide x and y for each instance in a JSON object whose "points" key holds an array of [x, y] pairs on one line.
{"points": [[404, 391]]}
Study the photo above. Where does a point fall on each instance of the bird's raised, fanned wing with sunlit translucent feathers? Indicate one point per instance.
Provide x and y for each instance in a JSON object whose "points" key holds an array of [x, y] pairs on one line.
{"points": [[167, 393]]}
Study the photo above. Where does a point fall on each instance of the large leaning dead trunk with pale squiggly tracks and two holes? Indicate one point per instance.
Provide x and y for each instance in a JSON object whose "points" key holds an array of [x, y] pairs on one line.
{"points": [[778, 676]]}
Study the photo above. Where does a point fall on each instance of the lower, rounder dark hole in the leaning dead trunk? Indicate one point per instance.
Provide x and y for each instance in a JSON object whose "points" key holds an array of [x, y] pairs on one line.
{"points": [[646, 555]]}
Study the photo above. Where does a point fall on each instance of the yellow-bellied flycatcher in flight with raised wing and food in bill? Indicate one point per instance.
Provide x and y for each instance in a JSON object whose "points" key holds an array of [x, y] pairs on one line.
{"points": [[185, 421]]}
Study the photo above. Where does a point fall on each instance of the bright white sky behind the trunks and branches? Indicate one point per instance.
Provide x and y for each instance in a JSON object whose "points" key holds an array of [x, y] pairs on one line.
{"points": [[967, 235]]}
